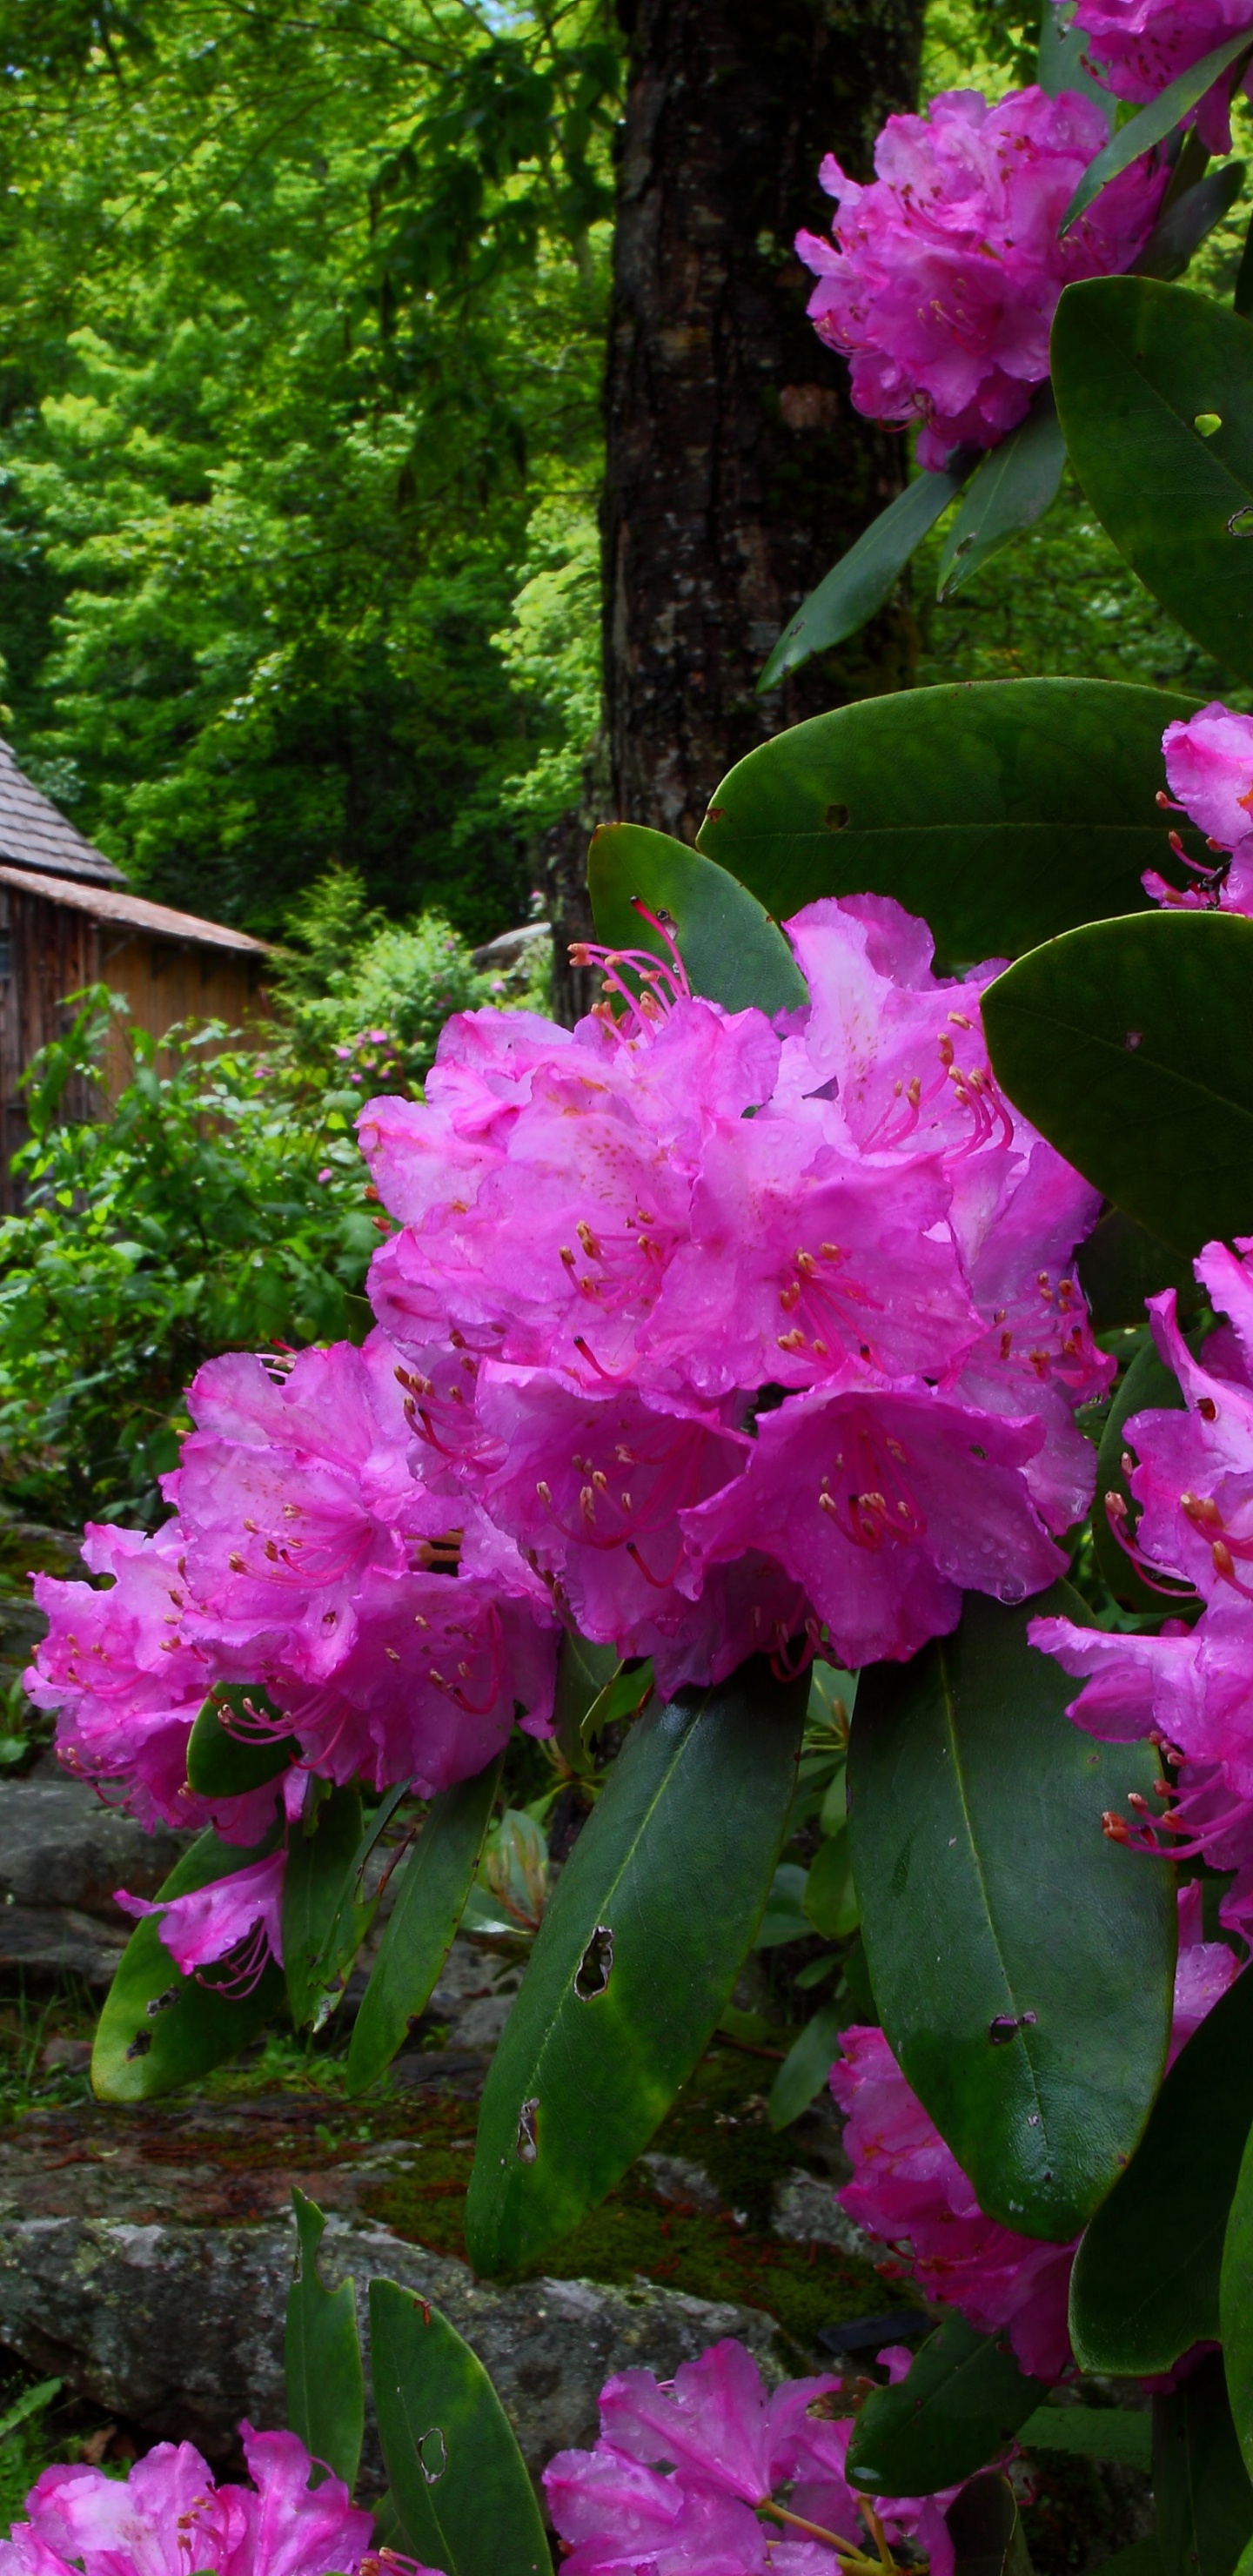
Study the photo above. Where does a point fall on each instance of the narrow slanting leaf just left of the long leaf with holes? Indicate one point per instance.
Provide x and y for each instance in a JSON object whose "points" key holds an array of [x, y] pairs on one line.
{"points": [[432, 1895]]}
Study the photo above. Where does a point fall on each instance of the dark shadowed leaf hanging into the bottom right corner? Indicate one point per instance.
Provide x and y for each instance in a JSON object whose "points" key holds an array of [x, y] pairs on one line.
{"points": [[1200, 2482]]}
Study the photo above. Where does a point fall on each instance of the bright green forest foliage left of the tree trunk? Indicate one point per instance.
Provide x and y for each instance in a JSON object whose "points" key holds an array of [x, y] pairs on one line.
{"points": [[267, 493]]}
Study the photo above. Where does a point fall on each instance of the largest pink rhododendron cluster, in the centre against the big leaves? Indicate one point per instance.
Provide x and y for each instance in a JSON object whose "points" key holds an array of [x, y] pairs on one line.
{"points": [[736, 1379]]}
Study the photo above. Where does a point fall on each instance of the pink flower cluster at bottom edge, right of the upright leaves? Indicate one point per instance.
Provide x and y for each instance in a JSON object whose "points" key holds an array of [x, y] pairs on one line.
{"points": [[682, 2474]]}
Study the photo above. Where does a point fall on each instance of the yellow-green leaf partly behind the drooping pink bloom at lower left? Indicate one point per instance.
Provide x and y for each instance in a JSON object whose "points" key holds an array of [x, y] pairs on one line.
{"points": [[161, 2029]]}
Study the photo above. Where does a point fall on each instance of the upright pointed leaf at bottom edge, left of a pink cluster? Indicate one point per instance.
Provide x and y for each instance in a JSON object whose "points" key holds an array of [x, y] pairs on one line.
{"points": [[452, 2464]]}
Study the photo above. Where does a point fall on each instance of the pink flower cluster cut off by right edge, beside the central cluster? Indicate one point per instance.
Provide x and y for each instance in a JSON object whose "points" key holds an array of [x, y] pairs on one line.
{"points": [[1192, 1686]]}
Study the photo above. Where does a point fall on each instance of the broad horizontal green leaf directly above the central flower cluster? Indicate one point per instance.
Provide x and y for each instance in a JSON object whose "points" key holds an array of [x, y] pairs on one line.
{"points": [[999, 810]]}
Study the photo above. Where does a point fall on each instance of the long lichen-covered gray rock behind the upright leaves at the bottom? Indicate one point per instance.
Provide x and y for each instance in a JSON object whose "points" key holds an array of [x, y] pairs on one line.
{"points": [[182, 2330]]}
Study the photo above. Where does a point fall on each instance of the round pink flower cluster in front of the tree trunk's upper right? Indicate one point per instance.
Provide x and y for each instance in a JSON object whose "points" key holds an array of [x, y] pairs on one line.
{"points": [[947, 269]]}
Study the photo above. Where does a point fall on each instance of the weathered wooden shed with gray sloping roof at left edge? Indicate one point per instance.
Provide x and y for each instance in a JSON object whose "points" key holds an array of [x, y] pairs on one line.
{"points": [[68, 921]]}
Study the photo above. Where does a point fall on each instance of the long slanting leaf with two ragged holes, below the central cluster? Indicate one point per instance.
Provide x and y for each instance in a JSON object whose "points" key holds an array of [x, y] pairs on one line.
{"points": [[636, 1959]]}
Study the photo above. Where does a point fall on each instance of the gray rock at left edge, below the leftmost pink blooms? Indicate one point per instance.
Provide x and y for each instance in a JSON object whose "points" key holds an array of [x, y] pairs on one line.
{"points": [[63, 1848]]}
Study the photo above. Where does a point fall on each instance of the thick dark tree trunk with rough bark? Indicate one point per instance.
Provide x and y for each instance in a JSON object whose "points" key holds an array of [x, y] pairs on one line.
{"points": [[736, 468]]}
